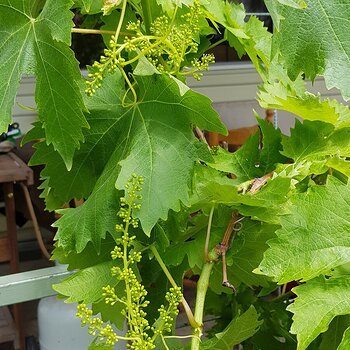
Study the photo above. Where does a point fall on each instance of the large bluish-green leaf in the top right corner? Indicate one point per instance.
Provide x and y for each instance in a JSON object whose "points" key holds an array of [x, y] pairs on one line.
{"points": [[316, 51]]}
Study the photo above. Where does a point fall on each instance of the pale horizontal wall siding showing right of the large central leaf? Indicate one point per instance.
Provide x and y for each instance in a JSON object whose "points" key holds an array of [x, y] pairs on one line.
{"points": [[233, 89]]}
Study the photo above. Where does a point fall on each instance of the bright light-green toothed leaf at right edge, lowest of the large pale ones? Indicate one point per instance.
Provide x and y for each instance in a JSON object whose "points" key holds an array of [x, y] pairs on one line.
{"points": [[318, 302]]}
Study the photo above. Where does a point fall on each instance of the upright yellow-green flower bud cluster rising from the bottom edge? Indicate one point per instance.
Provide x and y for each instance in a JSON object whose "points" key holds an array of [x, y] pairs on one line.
{"points": [[140, 335]]}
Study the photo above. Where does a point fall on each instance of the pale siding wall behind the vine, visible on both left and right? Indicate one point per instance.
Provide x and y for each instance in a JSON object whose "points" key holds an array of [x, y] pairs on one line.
{"points": [[232, 88]]}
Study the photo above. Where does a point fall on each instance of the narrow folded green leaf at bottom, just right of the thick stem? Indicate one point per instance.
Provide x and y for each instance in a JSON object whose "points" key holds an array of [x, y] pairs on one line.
{"points": [[239, 329]]}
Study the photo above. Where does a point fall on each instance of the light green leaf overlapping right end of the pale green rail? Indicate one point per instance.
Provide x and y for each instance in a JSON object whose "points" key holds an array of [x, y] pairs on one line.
{"points": [[86, 285]]}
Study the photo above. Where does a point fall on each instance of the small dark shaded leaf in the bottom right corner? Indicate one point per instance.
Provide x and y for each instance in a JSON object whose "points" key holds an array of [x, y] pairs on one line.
{"points": [[333, 337]]}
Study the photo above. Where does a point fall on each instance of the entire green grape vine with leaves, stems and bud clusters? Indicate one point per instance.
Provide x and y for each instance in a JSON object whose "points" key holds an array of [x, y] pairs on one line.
{"points": [[261, 233]]}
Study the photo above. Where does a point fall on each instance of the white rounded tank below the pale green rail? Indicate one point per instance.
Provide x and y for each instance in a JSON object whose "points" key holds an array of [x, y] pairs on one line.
{"points": [[60, 329]]}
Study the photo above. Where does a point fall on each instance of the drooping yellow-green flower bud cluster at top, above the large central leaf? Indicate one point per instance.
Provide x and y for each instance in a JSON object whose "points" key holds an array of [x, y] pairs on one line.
{"points": [[166, 46]]}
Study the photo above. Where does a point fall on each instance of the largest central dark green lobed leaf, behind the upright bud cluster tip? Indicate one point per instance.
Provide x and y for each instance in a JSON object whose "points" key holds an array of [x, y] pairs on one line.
{"points": [[152, 138]]}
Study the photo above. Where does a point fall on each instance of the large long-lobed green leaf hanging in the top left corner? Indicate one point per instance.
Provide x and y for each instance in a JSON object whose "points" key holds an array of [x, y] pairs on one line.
{"points": [[40, 45]]}
